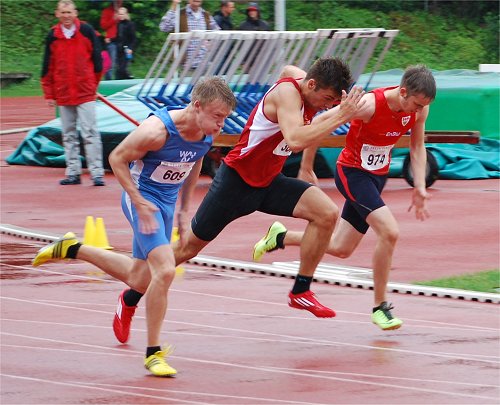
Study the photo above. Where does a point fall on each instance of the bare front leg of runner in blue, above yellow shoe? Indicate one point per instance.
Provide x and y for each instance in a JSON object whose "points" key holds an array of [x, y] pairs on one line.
{"points": [[161, 263]]}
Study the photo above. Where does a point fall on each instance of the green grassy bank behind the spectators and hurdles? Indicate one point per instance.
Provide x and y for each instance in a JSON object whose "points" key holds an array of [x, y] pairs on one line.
{"points": [[443, 35]]}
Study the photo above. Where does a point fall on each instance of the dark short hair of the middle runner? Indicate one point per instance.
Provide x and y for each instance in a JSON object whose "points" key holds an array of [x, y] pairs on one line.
{"points": [[331, 73]]}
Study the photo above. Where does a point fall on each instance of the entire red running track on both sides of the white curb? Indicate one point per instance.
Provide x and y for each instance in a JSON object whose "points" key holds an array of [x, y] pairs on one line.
{"points": [[237, 342]]}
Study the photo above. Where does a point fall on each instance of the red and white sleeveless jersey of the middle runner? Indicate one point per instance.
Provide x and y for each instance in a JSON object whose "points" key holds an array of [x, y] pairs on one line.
{"points": [[261, 151]]}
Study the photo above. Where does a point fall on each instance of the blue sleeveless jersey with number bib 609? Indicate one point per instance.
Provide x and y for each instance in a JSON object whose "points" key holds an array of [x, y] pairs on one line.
{"points": [[161, 173]]}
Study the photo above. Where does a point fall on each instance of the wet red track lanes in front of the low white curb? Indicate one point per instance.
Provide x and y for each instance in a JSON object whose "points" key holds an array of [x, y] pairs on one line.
{"points": [[236, 342]]}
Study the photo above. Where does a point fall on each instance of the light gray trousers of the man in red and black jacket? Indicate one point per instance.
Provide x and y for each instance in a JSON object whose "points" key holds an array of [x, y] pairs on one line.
{"points": [[85, 114]]}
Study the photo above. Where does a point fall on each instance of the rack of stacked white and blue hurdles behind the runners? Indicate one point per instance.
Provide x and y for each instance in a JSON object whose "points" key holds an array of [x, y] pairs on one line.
{"points": [[251, 62]]}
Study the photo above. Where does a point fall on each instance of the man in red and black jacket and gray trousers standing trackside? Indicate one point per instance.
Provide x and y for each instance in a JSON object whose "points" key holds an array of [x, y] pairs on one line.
{"points": [[72, 69]]}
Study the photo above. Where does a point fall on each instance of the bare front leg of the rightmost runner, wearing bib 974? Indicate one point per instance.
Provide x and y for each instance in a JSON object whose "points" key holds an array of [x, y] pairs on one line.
{"points": [[386, 228]]}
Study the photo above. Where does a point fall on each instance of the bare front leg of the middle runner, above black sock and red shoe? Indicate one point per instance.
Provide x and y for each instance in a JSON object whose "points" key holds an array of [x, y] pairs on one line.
{"points": [[317, 208]]}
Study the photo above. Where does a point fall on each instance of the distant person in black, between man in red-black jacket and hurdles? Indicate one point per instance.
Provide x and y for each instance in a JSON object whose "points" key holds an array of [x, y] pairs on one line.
{"points": [[126, 43]]}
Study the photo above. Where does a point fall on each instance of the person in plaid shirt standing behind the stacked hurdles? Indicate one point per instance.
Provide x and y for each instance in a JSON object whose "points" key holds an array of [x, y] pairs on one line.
{"points": [[192, 17]]}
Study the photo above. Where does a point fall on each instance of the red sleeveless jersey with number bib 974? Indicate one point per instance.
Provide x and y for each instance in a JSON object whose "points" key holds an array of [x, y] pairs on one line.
{"points": [[368, 145]]}
